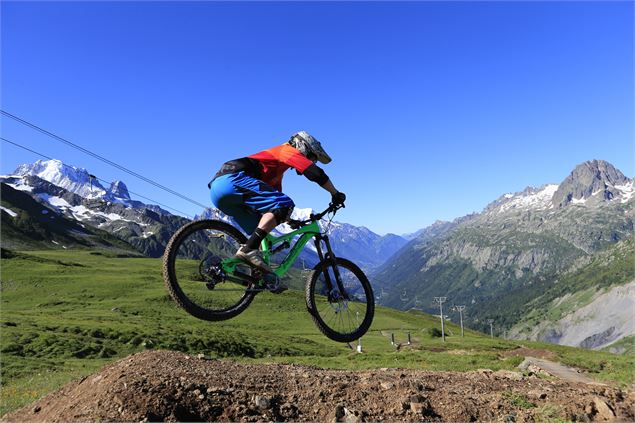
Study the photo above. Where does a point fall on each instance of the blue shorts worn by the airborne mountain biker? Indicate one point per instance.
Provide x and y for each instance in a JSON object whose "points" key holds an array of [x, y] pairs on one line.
{"points": [[246, 199]]}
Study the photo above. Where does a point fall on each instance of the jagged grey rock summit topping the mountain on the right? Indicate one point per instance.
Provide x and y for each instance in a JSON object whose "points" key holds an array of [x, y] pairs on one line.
{"points": [[593, 178]]}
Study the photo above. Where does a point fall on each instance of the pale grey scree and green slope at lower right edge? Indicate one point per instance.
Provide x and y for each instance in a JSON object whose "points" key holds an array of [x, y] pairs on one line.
{"points": [[592, 306]]}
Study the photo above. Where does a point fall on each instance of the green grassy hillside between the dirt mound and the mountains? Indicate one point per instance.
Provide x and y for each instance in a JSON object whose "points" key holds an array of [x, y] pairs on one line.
{"points": [[67, 313]]}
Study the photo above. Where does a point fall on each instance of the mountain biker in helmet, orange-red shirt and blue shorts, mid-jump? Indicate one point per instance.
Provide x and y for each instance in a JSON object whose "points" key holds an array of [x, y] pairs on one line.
{"points": [[249, 189]]}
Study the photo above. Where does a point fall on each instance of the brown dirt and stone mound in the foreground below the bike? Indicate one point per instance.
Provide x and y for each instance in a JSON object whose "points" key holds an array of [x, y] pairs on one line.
{"points": [[171, 386]]}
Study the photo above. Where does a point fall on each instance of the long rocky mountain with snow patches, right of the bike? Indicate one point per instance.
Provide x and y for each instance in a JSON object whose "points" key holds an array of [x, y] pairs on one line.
{"points": [[519, 243]]}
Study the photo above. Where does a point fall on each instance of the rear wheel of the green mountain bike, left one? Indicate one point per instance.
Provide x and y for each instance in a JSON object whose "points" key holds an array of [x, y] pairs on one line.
{"points": [[194, 277]]}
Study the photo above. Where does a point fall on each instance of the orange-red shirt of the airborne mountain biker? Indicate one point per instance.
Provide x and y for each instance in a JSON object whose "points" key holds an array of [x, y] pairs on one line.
{"points": [[277, 160]]}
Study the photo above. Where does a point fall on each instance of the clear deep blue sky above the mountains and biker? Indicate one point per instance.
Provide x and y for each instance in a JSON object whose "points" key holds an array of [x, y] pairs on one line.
{"points": [[430, 110]]}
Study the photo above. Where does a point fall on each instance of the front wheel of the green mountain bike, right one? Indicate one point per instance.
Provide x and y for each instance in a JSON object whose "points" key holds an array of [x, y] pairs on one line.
{"points": [[342, 311]]}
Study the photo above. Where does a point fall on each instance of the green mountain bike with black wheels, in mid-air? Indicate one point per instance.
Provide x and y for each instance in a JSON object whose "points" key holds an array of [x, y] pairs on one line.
{"points": [[204, 278]]}
